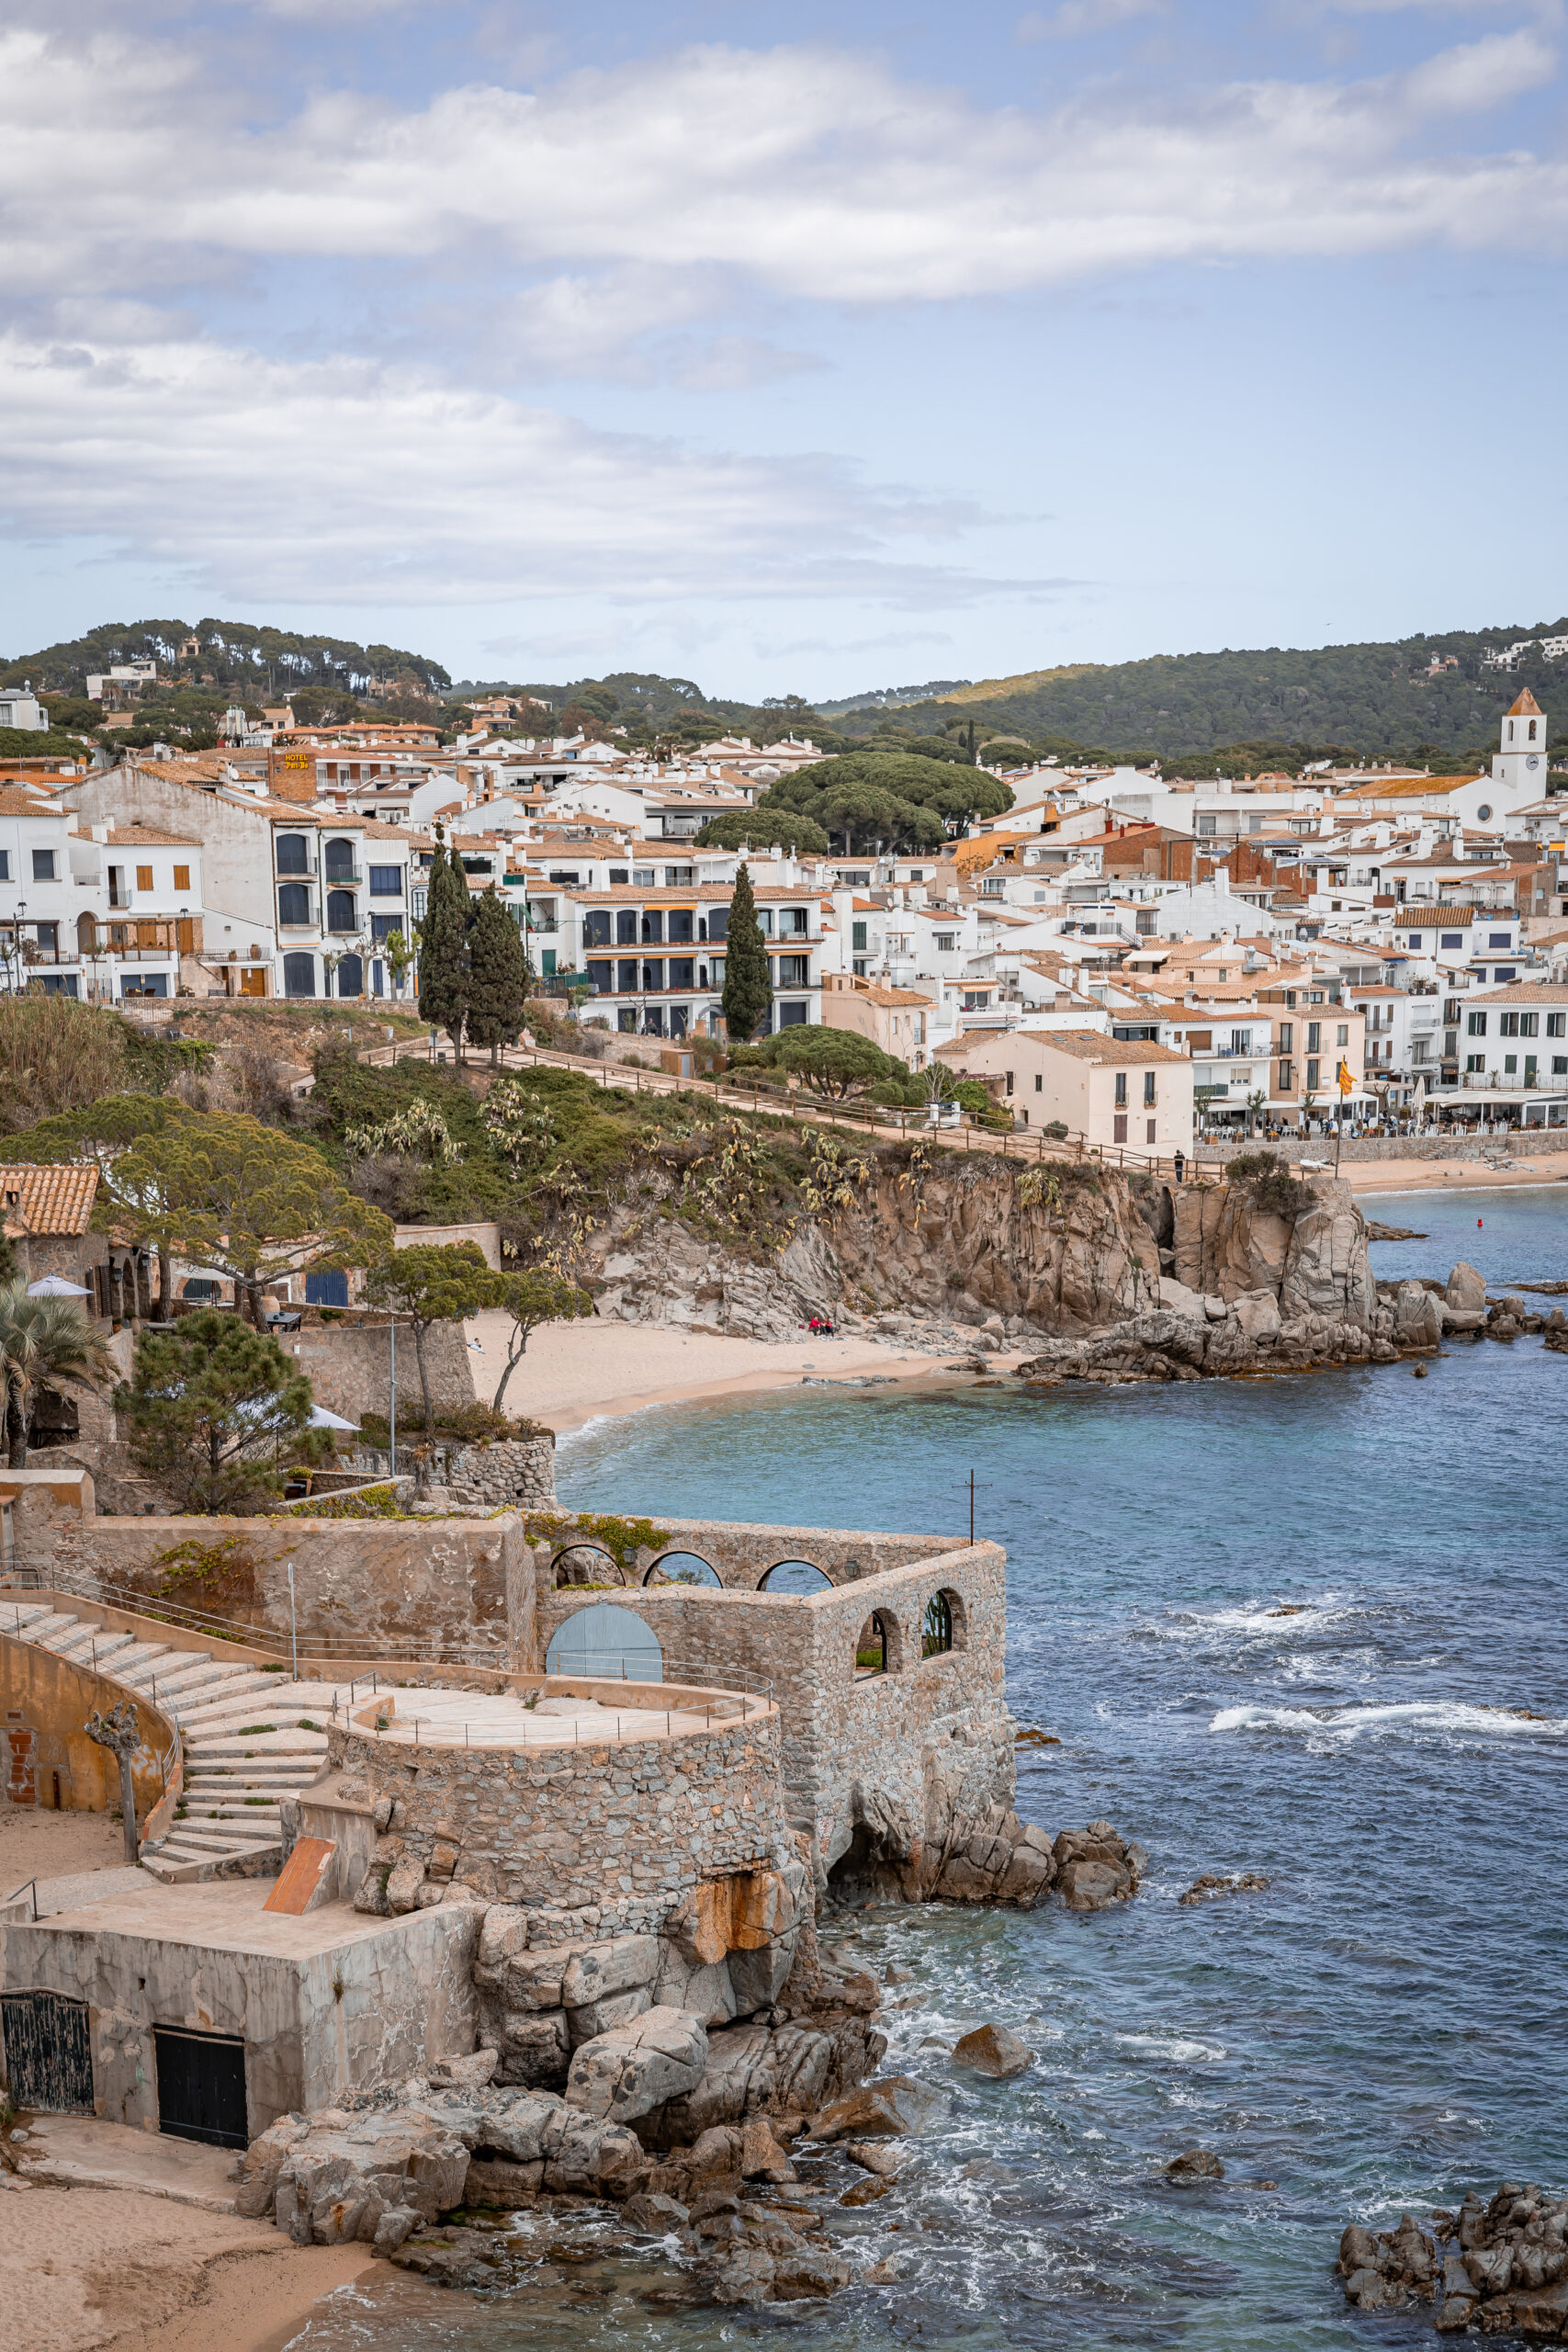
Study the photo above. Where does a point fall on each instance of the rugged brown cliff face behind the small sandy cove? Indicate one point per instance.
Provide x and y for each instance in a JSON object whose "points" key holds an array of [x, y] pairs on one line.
{"points": [[953, 1252]]}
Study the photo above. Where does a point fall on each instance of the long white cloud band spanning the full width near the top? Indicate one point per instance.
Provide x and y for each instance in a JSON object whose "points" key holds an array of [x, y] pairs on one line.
{"points": [[796, 171]]}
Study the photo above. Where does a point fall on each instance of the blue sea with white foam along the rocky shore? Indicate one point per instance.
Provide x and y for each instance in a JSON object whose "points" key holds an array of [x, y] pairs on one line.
{"points": [[1311, 1629]]}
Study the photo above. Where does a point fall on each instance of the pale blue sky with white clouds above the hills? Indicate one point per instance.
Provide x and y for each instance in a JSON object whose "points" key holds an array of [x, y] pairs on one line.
{"points": [[791, 349]]}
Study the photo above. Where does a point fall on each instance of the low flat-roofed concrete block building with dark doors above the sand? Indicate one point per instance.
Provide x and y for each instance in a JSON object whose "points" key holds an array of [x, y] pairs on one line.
{"points": [[323, 2012]]}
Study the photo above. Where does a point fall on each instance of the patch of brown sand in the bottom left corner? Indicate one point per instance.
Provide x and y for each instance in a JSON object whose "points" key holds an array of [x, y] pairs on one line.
{"points": [[112, 2271]]}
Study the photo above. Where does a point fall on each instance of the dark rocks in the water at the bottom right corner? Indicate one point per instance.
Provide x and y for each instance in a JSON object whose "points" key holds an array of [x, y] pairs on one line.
{"points": [[1508, 2271]]}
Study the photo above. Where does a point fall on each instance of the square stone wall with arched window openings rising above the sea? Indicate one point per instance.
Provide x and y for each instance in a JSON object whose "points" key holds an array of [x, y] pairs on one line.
{"points": [[904, 1758]]}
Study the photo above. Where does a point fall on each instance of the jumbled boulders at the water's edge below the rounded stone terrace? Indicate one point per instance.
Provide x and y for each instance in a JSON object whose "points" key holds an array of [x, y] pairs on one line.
{"points": [[721, 2134]]}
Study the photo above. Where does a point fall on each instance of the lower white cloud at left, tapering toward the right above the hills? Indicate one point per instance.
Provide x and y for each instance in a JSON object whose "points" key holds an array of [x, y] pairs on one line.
{"points": [[356, 483]]}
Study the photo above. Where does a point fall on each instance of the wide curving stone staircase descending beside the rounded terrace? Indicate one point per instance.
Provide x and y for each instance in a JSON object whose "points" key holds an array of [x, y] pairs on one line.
{"points": [[250, 1737]]}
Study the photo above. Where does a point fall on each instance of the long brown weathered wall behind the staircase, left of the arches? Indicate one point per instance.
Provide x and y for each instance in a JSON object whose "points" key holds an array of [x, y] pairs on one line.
{"points": [[413, 1589]]}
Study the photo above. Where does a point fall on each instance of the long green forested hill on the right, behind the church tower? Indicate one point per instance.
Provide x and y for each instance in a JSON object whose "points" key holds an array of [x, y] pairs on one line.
{"points": [[1374, 700]]}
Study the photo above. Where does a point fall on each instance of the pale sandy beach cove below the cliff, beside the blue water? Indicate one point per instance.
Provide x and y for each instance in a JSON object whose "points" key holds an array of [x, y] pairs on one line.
{"points": [[577, 1372]]}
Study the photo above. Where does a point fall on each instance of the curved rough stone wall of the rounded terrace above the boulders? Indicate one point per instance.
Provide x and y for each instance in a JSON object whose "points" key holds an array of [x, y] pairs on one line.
{"points": [[622, 1831]]}
